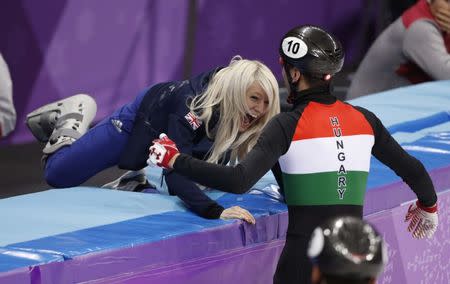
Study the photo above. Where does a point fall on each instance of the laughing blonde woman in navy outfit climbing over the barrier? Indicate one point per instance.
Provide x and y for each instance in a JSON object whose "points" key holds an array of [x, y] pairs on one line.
{"points": [[216, 116]]}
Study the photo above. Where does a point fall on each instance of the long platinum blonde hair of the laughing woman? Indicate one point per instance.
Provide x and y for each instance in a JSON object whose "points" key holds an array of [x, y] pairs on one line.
{"points": [[226, 92]]}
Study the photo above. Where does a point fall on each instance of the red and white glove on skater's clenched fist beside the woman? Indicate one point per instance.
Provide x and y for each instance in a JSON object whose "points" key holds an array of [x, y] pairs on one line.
{"points": [[162, 151]]}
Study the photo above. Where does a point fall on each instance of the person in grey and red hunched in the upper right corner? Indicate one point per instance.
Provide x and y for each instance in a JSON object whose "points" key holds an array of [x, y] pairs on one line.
{"points": [[413, 49]]}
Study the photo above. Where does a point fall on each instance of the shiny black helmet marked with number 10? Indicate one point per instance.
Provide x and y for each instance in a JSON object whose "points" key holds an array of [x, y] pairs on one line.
{"points": [[313, 51]]}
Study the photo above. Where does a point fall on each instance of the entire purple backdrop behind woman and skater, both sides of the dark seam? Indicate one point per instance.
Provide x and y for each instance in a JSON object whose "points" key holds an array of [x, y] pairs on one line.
{"points": [[112, 49]]}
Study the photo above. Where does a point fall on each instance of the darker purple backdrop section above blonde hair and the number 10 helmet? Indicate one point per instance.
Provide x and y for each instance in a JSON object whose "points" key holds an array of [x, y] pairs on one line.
{"points": [[253, 29]]}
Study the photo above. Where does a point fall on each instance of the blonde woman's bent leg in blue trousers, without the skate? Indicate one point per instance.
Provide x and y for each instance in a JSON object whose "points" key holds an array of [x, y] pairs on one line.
{"points": [[96, 150]]}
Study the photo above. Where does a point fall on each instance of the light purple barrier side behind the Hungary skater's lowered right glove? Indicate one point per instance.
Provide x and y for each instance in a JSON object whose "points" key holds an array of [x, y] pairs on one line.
{"points": [[414, 260]]}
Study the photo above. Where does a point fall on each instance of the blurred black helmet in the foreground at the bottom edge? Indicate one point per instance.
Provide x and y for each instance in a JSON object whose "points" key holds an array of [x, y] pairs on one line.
{"points": [[348, 247]]}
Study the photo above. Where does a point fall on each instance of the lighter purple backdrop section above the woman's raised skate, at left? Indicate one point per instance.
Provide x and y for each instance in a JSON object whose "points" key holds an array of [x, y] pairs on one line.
{"points": [[110, 49]]}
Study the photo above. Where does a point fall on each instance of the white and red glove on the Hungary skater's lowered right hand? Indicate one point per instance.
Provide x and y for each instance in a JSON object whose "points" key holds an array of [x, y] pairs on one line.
{"points": [[423, 220]]}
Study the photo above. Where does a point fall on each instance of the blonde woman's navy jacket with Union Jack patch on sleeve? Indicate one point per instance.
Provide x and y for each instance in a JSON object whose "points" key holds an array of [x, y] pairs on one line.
{"points": [[164, 109]]}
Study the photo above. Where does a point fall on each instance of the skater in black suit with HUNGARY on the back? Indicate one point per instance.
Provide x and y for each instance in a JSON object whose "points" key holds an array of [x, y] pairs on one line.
{"points": [[319, 152]]}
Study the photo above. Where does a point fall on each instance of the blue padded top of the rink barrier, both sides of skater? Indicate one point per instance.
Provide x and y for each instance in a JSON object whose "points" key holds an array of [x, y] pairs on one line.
{"points": [[60, 224]]}
